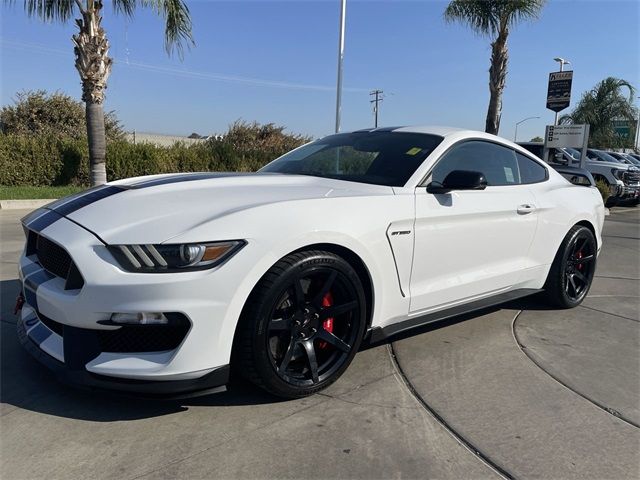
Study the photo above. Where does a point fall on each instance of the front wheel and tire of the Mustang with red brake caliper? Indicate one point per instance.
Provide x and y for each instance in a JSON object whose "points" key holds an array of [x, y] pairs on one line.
{"points": [[302, 325]]}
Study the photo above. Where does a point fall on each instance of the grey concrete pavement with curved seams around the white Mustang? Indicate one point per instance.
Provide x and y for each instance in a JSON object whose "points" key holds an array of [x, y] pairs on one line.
{"points": [[519, 391]]}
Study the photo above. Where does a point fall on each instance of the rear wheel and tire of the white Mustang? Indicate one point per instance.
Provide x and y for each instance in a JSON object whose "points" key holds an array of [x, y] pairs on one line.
{"points": [[572, 269]]}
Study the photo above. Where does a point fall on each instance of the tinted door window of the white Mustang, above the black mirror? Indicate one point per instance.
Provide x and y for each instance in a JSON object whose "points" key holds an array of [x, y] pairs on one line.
{"points": [[498, 164]]}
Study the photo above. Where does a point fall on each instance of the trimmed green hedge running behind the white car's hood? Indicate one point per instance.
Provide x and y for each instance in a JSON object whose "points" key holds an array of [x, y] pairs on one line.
{"points": [[44, 161]]}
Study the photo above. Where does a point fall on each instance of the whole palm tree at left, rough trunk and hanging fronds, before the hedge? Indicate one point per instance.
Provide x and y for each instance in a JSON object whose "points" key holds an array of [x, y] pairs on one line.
{"points": [[91, 49]]}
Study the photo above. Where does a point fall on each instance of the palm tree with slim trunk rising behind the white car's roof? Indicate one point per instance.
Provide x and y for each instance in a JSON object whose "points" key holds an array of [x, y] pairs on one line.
{"points": [[493, 19]]}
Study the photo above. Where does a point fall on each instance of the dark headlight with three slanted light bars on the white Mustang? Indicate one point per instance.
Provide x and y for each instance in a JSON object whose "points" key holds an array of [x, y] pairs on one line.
{"points": [[173, 258]]}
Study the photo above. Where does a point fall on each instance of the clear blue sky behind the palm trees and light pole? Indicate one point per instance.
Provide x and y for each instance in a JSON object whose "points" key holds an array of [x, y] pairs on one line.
{"points": [[275, 61]]}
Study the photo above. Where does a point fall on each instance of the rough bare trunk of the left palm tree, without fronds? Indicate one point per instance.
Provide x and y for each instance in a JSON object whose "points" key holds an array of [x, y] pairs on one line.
{"points": [[94, 66]]}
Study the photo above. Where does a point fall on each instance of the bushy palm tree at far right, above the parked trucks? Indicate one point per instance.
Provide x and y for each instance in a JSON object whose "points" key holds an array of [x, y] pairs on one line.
{"points": [[600, 107]]}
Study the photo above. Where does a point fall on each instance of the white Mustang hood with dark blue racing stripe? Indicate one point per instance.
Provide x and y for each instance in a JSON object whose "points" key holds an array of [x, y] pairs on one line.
{"points": [[157, 208]]}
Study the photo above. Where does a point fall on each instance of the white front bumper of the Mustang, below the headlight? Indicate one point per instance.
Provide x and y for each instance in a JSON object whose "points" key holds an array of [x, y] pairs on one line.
{"points": [[65, 330]]}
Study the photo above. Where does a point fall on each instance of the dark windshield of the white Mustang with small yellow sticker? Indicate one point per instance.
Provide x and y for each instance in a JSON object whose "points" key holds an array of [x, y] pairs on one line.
{"points": [[380, 158]]}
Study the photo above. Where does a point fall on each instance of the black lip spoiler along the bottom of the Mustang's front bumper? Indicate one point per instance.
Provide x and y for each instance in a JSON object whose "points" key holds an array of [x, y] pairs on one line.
{"points": [[213, 382]]}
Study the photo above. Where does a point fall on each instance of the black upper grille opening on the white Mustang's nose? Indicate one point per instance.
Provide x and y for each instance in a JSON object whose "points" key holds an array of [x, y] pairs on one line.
{"points": [[55, 260]]}
